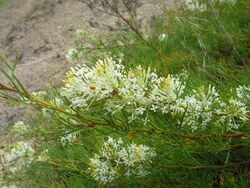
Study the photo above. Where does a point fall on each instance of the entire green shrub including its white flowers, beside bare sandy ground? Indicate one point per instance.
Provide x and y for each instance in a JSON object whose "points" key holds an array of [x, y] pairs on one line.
{"points": [[166, 109]]}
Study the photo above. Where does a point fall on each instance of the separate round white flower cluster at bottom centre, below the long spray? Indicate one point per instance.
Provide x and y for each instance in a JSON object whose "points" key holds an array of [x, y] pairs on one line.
{"points": [[117, 160]]}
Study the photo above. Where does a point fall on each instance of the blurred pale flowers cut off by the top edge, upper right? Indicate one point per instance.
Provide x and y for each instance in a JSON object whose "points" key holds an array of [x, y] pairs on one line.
{"points": [[200, 6]]}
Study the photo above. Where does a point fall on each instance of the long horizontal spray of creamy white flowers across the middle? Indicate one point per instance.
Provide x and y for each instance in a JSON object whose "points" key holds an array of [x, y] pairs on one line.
{"points": [[140, 91]]}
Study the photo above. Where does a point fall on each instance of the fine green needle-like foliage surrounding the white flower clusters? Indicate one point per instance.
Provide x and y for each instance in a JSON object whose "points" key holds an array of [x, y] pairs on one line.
{"points": [[212, 46]]}
